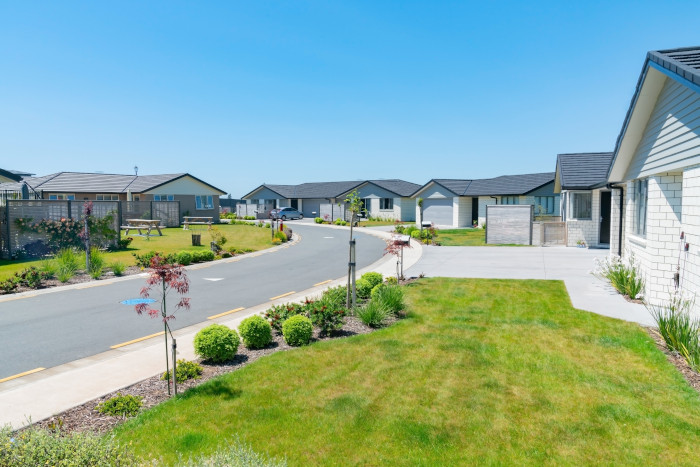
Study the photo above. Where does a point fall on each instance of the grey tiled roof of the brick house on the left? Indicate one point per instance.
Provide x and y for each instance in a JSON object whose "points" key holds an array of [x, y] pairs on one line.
{"points": [[79, 182]]}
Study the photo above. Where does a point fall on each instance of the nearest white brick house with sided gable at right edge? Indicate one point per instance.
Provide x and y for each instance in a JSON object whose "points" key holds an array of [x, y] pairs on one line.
{"points": [[656, 165]]}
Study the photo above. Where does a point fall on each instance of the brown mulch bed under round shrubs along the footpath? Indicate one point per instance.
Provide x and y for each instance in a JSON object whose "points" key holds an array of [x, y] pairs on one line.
{"points": [[154, 391]]}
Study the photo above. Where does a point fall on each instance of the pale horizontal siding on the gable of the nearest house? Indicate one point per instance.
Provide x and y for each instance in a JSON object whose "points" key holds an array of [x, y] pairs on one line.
{"points": [[671, 138]]}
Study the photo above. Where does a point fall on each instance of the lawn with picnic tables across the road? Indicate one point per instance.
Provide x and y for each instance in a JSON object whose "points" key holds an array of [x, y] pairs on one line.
{"points": [[174, 239]]}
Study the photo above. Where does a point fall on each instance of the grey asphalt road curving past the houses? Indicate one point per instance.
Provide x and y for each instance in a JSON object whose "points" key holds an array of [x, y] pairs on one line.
{"points": [[65, 325]]}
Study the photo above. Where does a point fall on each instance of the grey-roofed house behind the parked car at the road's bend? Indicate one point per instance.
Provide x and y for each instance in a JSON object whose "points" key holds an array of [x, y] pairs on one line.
{"points": [[388, 199]]}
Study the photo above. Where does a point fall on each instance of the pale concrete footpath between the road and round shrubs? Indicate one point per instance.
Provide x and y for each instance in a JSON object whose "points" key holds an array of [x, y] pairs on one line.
{"points": [[40, 395]]}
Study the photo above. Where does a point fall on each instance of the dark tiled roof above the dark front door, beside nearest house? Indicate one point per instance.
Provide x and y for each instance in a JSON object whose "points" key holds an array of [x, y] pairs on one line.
{"points": [[583, 171]]}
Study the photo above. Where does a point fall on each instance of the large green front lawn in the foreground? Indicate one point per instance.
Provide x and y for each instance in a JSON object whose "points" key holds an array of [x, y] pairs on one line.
{"points": [[482, 372]]}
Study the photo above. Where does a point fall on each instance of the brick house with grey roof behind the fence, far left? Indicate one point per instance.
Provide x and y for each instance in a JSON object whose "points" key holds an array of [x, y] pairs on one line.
{"points": [[196, 197]]}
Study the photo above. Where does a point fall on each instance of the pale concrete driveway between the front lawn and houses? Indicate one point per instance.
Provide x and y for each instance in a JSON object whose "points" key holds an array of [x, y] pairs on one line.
{"points": [[572, 265]]}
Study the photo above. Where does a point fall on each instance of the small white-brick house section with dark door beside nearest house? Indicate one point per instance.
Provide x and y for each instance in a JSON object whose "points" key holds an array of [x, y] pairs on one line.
{"points": [[581, 179]]}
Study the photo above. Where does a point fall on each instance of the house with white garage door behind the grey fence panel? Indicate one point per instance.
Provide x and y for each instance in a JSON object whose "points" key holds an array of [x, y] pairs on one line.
{"points": [[462, 203]]}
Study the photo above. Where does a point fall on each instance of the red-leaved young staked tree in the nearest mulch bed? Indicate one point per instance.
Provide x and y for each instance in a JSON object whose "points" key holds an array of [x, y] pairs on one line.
{"points": [[163, 278]]}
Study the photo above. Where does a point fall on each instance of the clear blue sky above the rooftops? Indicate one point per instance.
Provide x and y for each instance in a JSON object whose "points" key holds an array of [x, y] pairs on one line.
{"points": [[244, 93]]}
